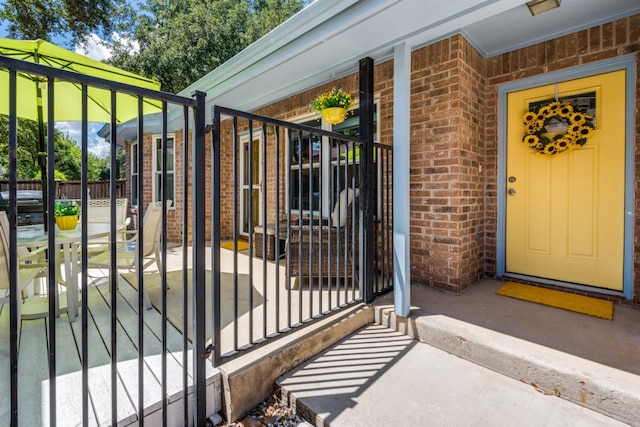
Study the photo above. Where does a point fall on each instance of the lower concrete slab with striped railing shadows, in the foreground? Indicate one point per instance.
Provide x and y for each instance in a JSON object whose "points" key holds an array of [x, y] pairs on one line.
{"points": [[381, 377]]}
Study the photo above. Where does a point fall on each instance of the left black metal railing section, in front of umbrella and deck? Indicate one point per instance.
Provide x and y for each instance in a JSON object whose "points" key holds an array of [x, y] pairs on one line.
{"points": [[113, 362]]}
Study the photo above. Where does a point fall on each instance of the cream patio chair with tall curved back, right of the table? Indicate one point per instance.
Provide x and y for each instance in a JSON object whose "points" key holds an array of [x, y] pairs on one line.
{"points": [[126, 258]]}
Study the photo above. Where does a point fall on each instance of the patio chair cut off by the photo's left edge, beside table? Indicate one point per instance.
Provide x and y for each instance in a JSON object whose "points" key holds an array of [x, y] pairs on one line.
{"points": [[26, 276]]}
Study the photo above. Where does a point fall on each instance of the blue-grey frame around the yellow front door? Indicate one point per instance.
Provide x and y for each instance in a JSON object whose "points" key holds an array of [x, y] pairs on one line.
{"points": [[626, 62]]}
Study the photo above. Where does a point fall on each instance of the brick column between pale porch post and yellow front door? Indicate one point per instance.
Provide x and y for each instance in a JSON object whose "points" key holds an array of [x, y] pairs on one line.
{"points": [[447, 145]]}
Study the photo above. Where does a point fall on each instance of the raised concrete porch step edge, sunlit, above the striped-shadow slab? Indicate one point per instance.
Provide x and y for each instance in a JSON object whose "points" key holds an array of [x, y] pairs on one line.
{"points": [[609, 391]]}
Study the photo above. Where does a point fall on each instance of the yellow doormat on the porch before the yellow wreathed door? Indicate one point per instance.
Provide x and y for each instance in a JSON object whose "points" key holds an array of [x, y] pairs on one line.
{"points": [[572, 302]]}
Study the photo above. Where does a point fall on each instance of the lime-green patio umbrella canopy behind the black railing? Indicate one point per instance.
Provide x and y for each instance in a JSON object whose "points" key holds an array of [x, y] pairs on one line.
{"points": [[68, 102]]}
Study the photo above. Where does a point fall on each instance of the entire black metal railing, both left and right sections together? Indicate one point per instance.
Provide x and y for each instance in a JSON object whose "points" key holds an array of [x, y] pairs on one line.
{"points": [[270, 216]]}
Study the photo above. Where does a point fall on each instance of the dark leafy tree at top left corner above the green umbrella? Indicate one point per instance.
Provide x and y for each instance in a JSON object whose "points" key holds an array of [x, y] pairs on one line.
{"points": [[43, 19]]}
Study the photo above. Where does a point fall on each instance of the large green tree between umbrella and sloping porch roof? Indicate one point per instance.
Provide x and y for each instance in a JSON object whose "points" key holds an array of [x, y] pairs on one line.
{"points": [[182, 40]]}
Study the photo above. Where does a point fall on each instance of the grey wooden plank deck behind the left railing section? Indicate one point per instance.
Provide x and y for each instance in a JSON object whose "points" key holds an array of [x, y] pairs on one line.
{"points": [[33, 365]]}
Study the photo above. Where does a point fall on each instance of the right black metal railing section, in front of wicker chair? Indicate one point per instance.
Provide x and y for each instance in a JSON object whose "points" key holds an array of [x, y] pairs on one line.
{"points": [[292, 193]]}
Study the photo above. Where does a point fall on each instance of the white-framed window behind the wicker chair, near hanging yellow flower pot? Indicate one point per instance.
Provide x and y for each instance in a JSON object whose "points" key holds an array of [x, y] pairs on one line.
{"points": [[312, 161]]}
